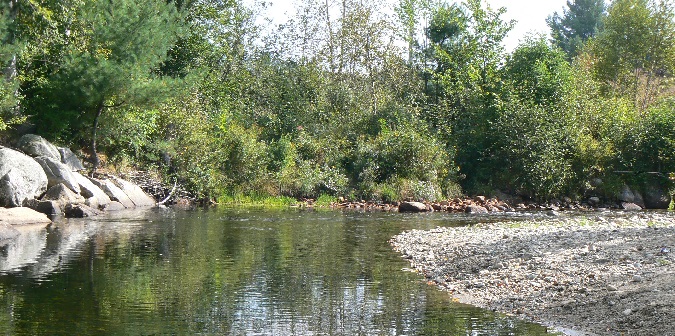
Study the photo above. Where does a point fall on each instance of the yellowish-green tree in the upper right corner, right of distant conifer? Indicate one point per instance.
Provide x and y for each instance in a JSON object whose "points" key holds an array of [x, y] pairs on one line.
{"points": [[635, 53]]}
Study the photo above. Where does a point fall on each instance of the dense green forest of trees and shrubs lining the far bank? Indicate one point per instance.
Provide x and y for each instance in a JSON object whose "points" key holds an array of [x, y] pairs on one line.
{"points": [[344, 99]]}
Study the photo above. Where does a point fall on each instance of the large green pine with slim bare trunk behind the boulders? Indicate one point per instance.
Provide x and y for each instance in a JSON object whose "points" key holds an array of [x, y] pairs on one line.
{"points": [[111, 51]]}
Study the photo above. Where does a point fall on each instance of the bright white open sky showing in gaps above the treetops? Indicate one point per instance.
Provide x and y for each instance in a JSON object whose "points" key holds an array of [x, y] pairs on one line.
{"points": [[530, 15]]}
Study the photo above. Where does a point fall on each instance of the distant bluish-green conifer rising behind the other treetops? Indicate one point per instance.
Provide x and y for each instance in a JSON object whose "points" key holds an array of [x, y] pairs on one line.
{"points": [[580, 21]]}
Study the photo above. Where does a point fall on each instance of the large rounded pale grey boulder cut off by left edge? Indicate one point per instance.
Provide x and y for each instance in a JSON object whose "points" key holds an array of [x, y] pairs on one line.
{"points": [[21, 178]]}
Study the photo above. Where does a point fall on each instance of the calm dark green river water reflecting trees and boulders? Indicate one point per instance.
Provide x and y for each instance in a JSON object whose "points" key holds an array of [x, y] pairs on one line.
{"points": [[230, 272]]}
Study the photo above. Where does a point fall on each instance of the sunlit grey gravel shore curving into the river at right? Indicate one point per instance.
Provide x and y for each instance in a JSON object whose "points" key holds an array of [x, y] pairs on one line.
{"points": [[596, 275]]}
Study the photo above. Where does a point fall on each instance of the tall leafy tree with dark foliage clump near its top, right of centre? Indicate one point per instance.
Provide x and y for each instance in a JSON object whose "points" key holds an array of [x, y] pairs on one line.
{"points": [[468, 52]]}
